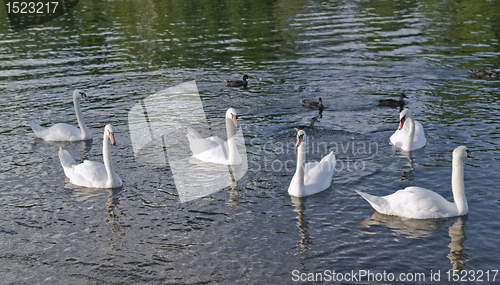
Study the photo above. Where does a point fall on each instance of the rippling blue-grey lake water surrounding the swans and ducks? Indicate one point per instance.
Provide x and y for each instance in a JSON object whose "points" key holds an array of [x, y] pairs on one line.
{"points": [[349, 53]]}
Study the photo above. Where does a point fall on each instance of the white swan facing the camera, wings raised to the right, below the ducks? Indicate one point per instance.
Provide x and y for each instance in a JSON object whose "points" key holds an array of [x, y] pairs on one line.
{"points": [[313, 177]]}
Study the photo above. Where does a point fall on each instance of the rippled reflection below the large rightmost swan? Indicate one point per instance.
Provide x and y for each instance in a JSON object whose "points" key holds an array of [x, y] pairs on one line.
{"points": [[414, 228]]}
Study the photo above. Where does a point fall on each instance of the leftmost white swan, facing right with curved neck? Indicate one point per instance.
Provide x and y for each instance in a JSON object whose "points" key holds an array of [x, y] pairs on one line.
{"points": [[63, 131]]}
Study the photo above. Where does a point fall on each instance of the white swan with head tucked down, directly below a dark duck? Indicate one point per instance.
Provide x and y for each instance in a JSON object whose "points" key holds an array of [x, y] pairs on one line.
{"points": [[410, 133]]}
